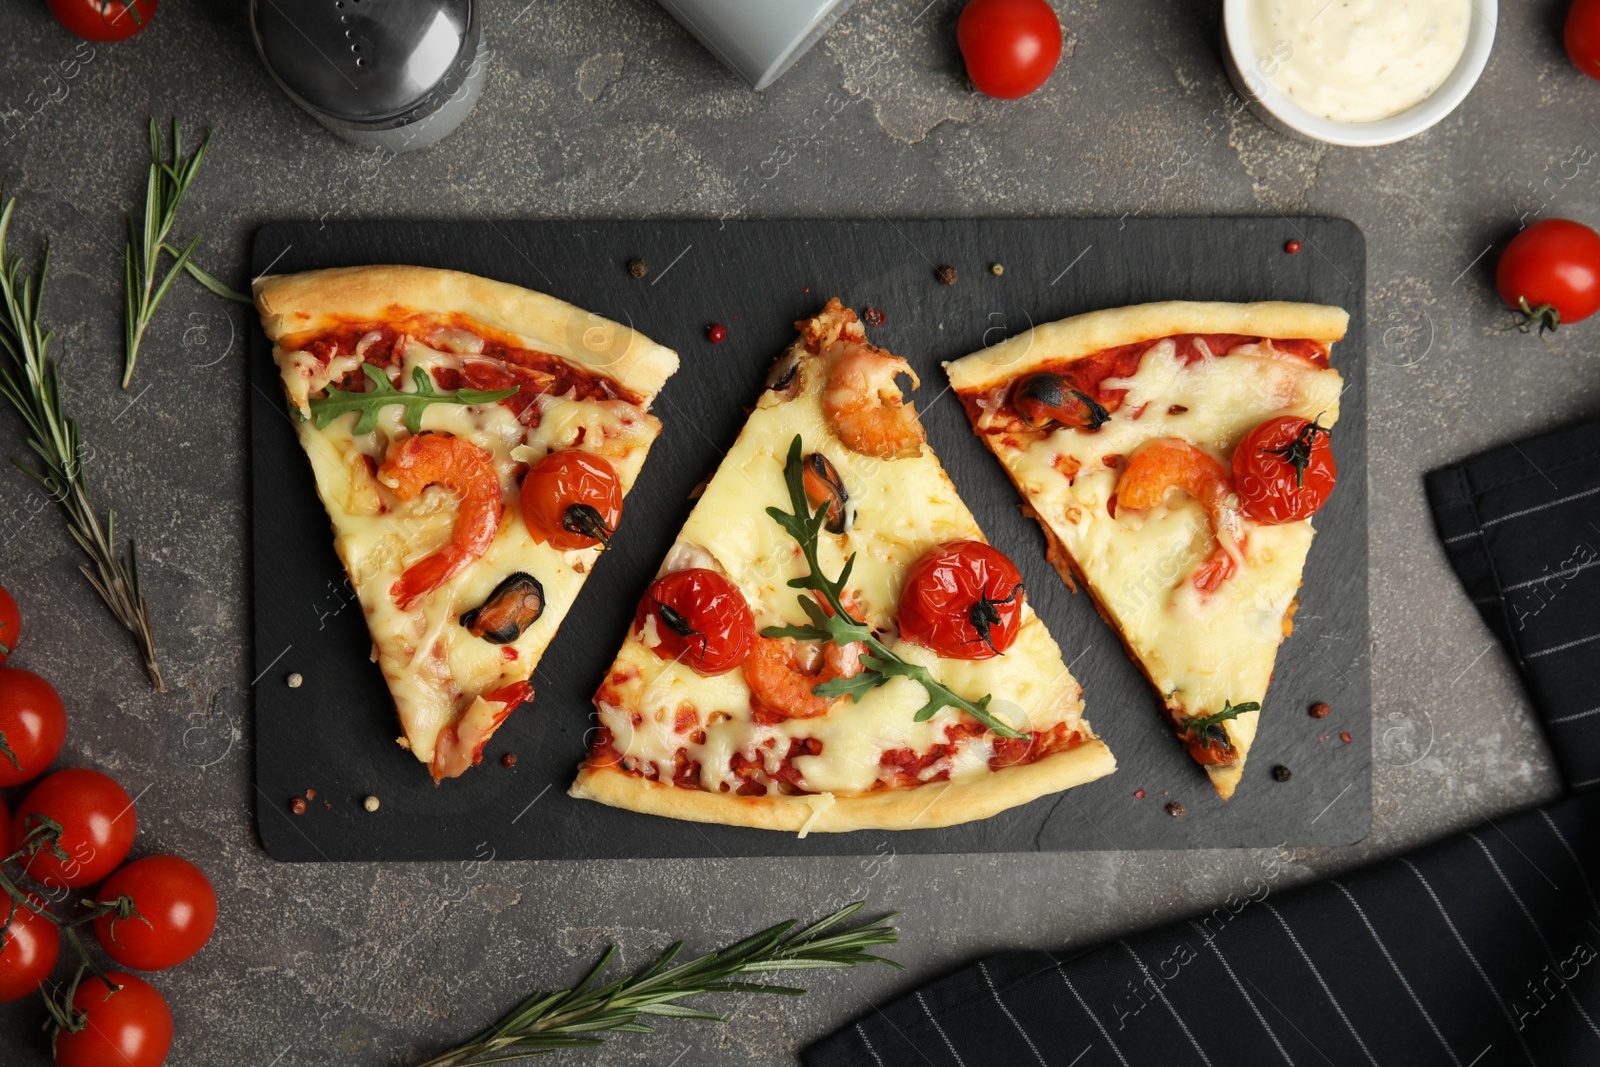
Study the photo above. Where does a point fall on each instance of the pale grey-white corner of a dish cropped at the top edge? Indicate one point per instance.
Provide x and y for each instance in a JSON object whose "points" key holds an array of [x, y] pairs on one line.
{"points": [[758, 39]]}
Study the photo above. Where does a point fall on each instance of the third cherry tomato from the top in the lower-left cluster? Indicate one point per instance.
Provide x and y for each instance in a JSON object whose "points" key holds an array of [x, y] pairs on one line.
{"points": [[97, 828]]}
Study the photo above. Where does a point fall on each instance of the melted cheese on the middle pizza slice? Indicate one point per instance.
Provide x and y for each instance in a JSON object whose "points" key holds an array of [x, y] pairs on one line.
{"points": [[903, 510]]}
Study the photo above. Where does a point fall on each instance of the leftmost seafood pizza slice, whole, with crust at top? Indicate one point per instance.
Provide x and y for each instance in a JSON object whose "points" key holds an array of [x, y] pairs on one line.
{"points": [[473, 442]]}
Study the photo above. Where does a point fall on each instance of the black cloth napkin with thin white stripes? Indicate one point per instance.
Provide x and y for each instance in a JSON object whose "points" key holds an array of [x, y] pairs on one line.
{"points": [[1478, 951]]}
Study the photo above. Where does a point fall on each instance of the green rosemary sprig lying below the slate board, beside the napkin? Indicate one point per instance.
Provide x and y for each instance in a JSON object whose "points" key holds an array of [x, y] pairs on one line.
{"points": [[572, 1018]]}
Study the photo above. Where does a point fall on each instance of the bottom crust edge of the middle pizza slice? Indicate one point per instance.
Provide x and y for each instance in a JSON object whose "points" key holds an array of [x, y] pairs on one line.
{"points": [[921, 809]]}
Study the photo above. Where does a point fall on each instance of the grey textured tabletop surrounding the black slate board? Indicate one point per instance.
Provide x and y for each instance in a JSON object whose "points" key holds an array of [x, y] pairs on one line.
{"points": [[607, 110]]}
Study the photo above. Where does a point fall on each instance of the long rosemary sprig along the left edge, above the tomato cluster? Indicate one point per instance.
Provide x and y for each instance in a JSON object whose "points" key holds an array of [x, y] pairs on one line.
{"points": [[30, 380]]}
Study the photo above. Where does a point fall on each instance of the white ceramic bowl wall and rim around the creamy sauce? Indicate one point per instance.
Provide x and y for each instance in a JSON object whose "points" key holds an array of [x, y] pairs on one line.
{"points": [[1244, 70]]}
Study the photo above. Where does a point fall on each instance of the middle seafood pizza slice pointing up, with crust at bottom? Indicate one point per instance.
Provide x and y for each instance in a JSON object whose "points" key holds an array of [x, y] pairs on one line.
{"points": [[833, 645]]}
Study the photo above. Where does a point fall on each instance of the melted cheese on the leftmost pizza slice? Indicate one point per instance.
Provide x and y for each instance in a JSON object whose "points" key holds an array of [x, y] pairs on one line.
{"points": [[434, 666]]}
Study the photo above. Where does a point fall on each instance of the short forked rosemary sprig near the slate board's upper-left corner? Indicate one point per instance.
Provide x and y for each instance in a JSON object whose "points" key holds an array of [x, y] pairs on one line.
{"points": [[164, 193]]}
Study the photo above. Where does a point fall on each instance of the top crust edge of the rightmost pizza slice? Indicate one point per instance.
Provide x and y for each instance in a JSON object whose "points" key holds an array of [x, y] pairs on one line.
{"points": [[1095, 332]]}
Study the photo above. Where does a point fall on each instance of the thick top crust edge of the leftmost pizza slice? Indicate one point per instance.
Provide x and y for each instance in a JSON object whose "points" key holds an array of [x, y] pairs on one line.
{"points": [[318, 300]]}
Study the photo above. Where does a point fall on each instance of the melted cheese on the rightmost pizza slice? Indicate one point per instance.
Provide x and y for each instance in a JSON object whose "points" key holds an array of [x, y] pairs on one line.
{"points": [[1199, 650]]}
